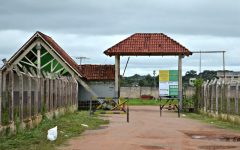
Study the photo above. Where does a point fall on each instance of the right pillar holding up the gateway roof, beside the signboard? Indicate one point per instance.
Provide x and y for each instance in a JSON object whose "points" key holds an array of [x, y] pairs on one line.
{"points": [[180, 81]]}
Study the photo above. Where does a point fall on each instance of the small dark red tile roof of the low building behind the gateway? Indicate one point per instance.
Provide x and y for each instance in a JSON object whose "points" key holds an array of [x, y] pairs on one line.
{"points": [[98, 72]]}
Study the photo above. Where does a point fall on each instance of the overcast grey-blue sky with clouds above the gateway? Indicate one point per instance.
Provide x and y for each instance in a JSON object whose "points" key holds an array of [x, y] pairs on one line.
{"points": [[87, 28]]}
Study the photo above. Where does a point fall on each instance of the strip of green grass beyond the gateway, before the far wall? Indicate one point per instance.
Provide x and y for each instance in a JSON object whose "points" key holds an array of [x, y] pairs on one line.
{"points": [[150, 102]]}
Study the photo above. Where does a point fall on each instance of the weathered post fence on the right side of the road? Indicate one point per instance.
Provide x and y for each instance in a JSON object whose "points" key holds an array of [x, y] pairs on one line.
{"points": [[219, 97]]}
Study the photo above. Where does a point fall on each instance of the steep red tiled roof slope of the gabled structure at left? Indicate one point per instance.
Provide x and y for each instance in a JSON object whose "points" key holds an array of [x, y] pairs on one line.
{"points": [[60, 51]]}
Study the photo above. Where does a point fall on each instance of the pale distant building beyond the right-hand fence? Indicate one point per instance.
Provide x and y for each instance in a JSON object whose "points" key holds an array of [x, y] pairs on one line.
{"points": [[229, 75]]}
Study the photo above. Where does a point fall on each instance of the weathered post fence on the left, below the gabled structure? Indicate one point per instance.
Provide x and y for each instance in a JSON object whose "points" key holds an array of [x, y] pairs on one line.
{"points": [[24, 96]]}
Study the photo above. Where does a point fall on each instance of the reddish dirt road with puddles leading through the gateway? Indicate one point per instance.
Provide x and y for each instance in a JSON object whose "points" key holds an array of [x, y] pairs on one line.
{"points": [[147, 131]]}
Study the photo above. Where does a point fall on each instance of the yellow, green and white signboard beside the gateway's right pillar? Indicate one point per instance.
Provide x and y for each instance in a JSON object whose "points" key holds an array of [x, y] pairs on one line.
{"points": [[168, 83]]}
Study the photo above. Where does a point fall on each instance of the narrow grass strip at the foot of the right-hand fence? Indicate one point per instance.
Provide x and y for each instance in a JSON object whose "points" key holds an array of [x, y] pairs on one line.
{"points": [[214, 121]]}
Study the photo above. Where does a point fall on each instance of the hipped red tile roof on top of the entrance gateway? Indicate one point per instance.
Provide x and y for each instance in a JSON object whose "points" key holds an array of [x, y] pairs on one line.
{"points": [[148, 44]]}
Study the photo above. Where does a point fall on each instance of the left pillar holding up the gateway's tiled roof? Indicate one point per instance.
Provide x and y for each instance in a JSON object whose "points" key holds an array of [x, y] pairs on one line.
{"points": [[117, 76]]}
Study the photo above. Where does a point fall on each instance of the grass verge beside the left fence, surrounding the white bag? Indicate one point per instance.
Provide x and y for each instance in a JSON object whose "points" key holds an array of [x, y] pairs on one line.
{"points": [[69, 126]]}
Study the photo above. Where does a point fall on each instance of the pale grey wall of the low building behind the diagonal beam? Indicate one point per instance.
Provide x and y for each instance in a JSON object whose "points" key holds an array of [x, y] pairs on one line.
{"points": [[101, 88]]}
